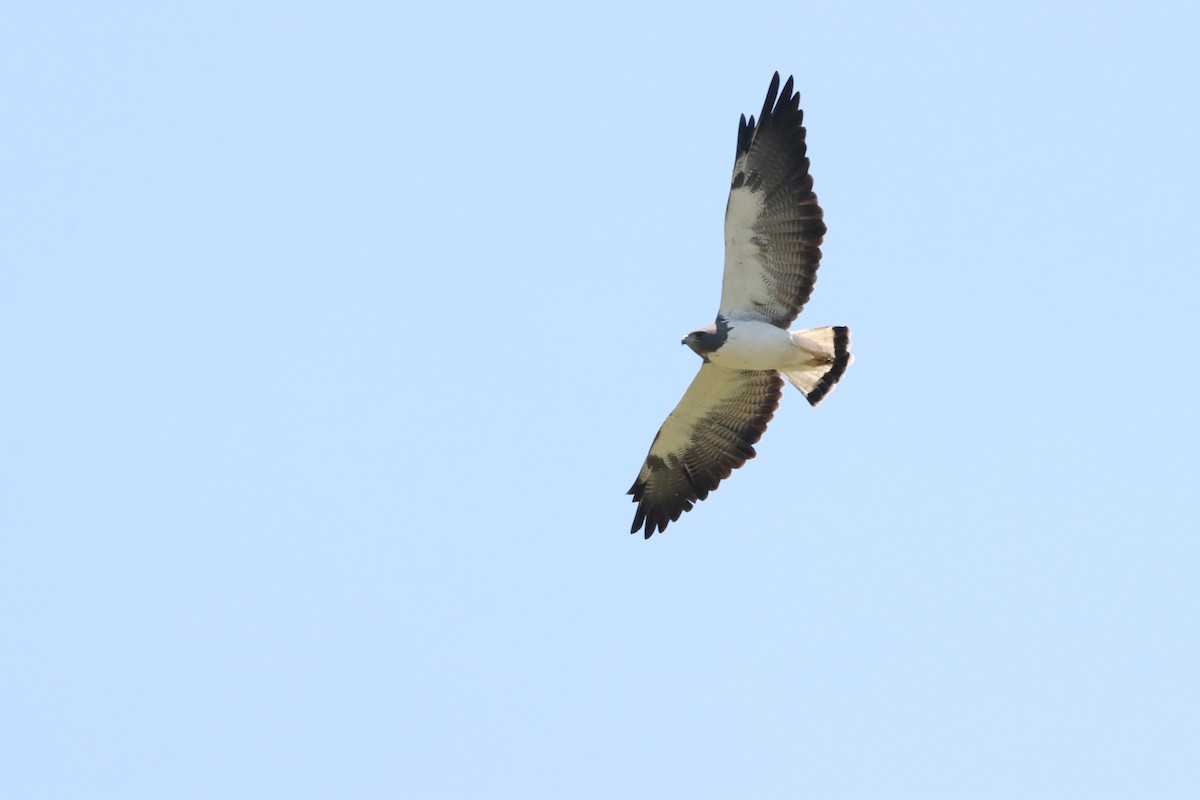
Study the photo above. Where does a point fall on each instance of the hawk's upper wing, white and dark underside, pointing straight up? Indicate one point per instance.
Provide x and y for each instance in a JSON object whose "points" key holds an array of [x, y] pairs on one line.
{"points": [[773, 225]]}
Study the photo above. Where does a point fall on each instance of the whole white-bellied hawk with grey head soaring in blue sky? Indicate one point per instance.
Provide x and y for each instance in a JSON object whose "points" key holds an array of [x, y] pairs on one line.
{"points": [[773, 234]]}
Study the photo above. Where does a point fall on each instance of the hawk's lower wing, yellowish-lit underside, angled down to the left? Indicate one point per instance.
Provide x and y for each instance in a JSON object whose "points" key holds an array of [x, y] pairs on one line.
{"points": [[711, 434]]}
